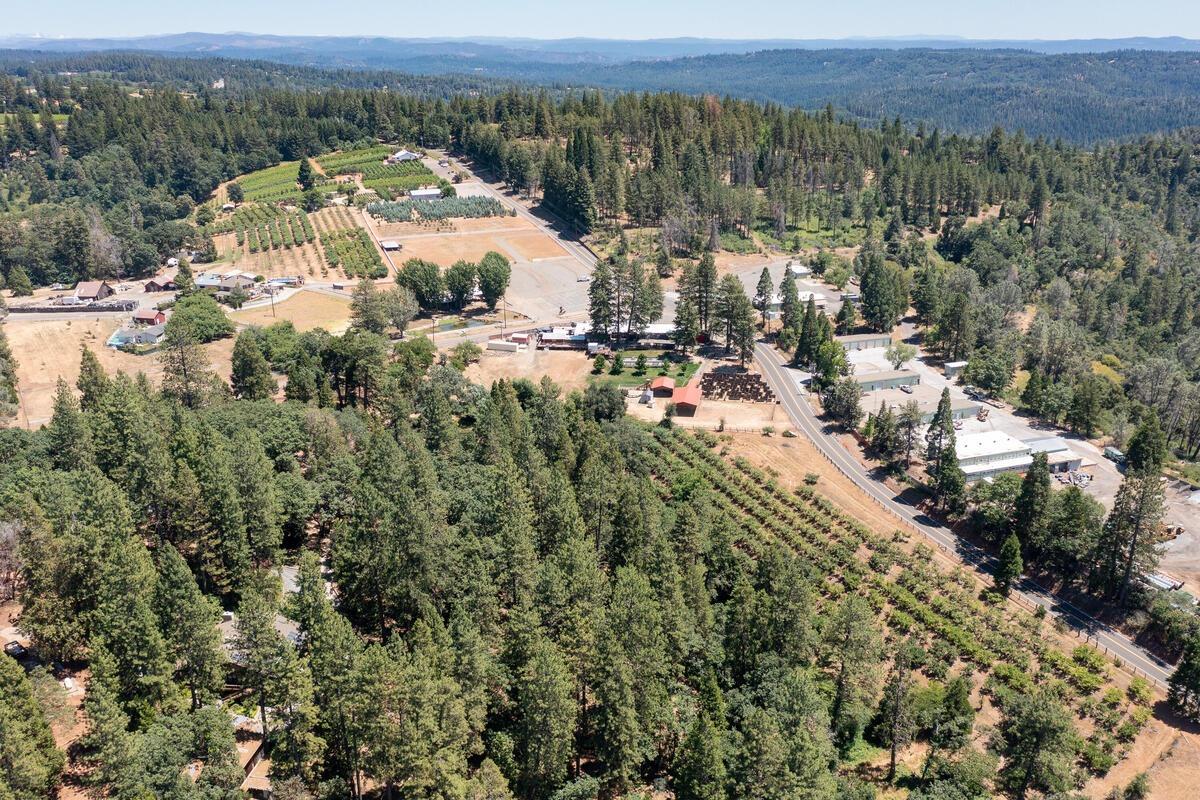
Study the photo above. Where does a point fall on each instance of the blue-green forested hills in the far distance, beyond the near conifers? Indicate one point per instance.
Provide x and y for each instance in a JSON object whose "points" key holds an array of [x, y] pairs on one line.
{"points": [[1082, 98]]}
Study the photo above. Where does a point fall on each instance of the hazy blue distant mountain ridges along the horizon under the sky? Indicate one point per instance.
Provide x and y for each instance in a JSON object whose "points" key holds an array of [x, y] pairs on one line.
{"points": [[1081, 97]]}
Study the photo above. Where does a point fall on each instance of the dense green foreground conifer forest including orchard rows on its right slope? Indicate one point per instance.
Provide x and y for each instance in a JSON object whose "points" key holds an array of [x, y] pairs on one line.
{"points": [[501, 594]]}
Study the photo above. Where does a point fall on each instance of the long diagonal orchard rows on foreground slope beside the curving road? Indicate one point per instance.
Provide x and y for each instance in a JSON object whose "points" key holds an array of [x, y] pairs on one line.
{"points": [[921, 597]]}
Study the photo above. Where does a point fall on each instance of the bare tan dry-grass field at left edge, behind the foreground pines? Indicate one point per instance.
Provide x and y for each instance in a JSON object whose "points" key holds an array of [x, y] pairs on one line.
{"points": [[49, 350]]}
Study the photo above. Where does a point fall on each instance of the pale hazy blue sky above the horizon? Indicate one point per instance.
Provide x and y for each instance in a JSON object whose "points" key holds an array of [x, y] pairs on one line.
{"points": [[611, 19]]}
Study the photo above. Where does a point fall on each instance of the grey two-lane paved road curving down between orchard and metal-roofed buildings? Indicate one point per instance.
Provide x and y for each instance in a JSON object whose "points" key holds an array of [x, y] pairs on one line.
{"points": [[1029, 591]]}
